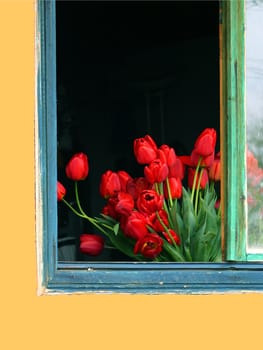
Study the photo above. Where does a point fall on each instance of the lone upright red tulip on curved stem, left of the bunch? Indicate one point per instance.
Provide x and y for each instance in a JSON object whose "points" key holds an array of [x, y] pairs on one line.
{"points": [[78, 167]]}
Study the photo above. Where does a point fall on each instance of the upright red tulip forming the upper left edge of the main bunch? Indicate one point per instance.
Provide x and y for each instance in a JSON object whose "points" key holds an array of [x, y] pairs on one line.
{"points": [[110, 184]]}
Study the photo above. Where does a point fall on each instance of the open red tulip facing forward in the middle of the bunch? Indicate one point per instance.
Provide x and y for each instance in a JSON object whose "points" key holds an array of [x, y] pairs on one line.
{"points": [[149, 202]]}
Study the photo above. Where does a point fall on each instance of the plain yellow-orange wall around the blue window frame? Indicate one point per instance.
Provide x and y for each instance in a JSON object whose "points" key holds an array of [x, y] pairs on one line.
{"points": [[86, 321]]}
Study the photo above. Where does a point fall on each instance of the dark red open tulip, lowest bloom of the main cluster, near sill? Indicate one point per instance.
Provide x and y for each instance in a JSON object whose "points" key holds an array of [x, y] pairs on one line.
{"points": [[149, 246]]}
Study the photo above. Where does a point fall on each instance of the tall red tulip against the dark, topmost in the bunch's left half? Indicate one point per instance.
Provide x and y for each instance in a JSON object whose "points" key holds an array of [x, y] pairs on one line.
{"points": [[145, 149]]}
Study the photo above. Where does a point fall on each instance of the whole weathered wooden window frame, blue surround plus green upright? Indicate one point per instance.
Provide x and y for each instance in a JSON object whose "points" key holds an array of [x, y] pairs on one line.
{"points": [[236, 273]]}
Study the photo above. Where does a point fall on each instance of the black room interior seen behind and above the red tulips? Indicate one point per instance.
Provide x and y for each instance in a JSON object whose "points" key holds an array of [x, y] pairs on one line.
{"points": [[124, 70]]}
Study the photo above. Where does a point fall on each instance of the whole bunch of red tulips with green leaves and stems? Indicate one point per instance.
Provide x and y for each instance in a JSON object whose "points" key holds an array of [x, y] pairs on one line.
{"points": [[156, 217]]}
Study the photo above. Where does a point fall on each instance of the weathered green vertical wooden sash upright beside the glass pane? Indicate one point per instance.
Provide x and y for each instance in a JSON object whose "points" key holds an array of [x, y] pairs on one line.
{"points": [[233, 142]]}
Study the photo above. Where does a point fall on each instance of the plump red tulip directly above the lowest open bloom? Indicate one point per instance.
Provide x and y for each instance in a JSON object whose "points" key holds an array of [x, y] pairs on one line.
{"points": [[135, 225]]}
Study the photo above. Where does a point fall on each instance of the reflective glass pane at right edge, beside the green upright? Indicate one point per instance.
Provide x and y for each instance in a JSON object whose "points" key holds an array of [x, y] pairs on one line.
{"points": [[254, 111]]}
